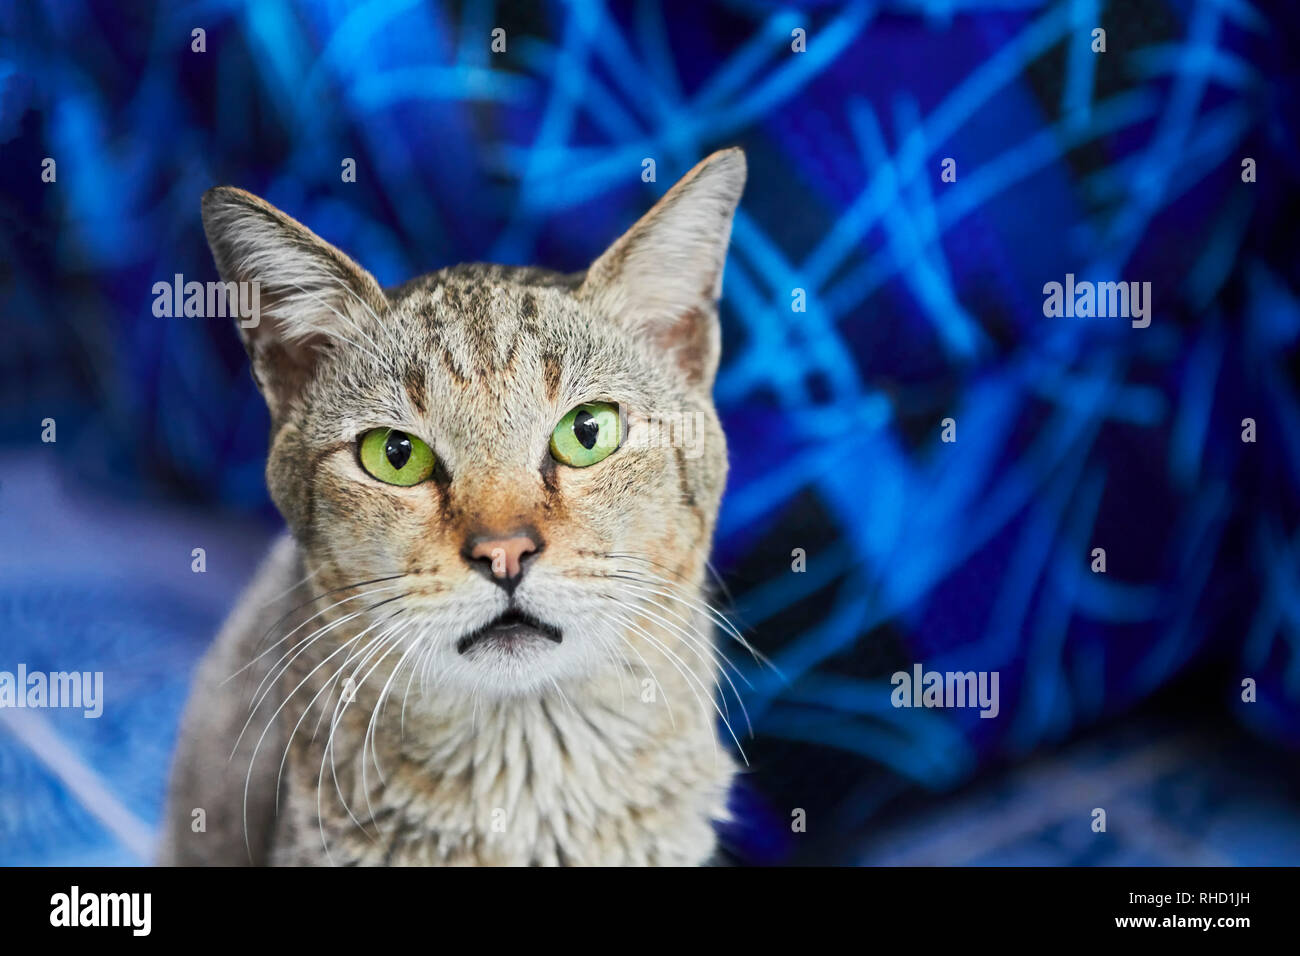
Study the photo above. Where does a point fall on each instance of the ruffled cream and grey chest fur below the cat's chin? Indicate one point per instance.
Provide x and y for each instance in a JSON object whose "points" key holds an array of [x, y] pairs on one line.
{"points": [[528, 782]]}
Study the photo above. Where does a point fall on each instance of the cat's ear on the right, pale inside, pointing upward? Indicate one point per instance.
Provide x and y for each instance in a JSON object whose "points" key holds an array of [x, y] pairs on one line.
{"points": [[665, 276]]}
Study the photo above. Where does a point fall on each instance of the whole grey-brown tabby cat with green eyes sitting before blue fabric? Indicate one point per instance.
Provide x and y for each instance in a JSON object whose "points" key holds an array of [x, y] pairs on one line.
{"points": [[486, 637]]}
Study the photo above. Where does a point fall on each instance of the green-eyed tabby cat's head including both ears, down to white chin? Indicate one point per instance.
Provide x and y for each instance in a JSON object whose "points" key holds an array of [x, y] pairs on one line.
{"points": [[509, 478]]}
